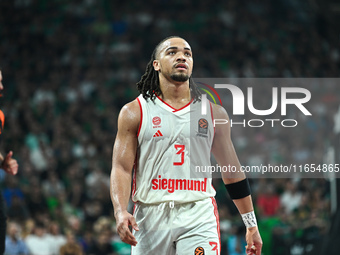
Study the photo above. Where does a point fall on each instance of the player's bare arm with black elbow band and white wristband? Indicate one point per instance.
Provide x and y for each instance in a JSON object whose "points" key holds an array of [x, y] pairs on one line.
{"points": [[225, 155]]}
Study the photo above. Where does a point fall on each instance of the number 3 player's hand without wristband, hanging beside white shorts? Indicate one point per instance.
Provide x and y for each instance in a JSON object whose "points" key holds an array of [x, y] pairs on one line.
{"points": [[123, 220]]}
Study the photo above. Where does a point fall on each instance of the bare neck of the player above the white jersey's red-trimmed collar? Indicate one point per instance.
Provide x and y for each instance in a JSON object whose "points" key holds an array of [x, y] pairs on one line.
{"points": [[176, 94]]}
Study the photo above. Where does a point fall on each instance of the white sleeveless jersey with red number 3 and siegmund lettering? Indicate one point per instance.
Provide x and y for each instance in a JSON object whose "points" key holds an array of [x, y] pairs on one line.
{"points": [[172, 145]]}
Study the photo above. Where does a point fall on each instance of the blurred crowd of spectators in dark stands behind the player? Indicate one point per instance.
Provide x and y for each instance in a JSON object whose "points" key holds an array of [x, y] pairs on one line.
{"points": [[68, 68]]}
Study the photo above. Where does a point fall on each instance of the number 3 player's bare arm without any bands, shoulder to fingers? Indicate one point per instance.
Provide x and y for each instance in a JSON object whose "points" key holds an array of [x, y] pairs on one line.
{"points": [[124, 153]]}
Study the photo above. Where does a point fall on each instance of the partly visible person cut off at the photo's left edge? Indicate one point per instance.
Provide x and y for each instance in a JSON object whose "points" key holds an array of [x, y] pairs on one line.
{"points": [[10, 166]]}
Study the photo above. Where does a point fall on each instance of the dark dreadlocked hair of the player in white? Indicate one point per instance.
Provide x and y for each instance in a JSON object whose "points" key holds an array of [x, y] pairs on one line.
{"points": [[149, 85]]}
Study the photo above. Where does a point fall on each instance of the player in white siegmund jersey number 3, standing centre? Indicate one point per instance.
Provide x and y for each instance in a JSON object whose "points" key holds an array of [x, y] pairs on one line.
{"points": [[175, 211]]}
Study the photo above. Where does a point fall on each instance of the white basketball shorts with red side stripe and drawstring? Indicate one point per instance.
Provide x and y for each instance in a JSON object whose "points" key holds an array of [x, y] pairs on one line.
{"points": [[177, 229]]}
